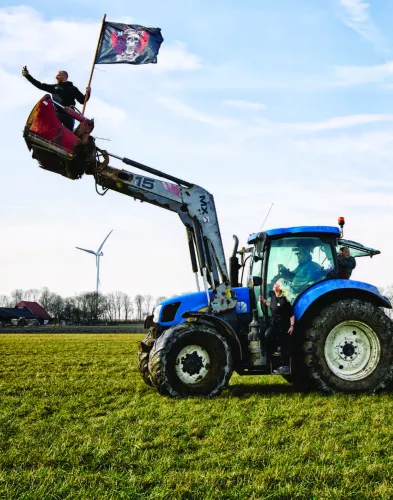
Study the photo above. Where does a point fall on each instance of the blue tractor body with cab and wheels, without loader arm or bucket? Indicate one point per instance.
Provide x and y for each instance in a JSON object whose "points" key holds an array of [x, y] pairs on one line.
{"points": [[342, 342]]}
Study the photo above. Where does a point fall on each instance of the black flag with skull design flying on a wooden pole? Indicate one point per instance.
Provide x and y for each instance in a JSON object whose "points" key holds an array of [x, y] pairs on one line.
{"points": [[128, 43]]}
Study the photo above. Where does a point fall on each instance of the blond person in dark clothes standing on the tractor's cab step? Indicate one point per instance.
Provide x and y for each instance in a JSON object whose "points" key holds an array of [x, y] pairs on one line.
{"points": [[282, 325]]}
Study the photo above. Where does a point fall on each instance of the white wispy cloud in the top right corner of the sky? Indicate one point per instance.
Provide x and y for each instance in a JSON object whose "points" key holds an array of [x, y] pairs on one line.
{"points": [[356, 15]]}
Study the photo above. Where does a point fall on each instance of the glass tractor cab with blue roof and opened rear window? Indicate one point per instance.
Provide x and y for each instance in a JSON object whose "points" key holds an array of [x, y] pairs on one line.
{"points": [[300, 256]]}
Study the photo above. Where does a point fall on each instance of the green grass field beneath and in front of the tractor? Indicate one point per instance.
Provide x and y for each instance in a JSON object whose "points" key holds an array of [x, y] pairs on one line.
{"points": [[76, 421]]}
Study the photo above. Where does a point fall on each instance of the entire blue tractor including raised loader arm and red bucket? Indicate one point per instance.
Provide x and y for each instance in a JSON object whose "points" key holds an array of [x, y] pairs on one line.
{"points": [[343, 341]]}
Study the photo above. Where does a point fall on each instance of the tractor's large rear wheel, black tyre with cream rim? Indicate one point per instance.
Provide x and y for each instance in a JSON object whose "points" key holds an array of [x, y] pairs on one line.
{"points": [[349, 348]]}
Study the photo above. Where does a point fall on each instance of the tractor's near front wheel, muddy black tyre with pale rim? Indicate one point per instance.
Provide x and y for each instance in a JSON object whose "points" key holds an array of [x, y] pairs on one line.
{"points": [[190, 360]]}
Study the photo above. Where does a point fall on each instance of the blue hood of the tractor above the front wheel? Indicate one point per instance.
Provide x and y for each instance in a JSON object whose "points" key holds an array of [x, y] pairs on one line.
{"points": [[169, 312]]}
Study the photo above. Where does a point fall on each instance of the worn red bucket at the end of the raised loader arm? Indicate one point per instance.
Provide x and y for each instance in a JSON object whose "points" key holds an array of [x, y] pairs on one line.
{"points": [[55, 147]]}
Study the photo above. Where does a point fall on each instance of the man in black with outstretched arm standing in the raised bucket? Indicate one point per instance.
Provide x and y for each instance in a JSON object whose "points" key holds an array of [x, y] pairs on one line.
{"points": [[63, 92]]}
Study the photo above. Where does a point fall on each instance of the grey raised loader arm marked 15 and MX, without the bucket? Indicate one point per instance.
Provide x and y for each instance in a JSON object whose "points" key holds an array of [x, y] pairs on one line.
{"points": [[196, 209]]}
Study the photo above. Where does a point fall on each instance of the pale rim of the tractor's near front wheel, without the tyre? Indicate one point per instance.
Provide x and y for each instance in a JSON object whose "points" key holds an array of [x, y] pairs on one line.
{"points": [[192, 364]]}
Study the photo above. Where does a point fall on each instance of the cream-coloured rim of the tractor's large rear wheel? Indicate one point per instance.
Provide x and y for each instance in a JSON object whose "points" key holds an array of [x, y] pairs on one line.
{"points": [[352, 350]]}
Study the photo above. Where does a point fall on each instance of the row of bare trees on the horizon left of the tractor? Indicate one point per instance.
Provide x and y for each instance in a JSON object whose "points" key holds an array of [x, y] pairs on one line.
{"points": [[84, 308]]}
